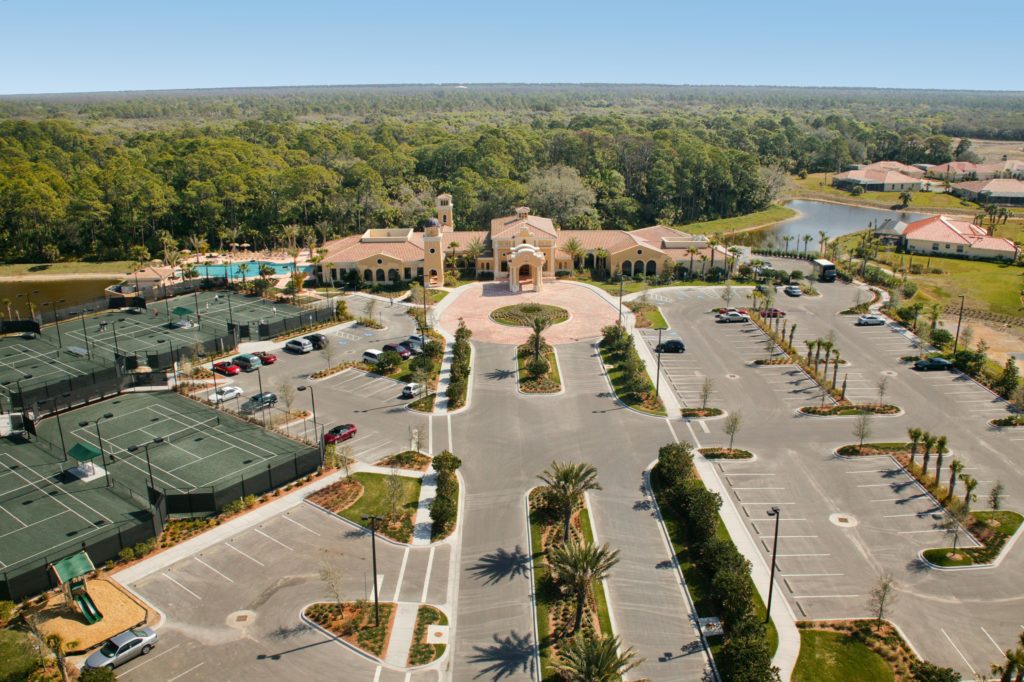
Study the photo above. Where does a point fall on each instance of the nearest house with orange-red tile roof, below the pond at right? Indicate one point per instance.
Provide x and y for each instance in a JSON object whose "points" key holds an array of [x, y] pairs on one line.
{"points": [[954, 236]]}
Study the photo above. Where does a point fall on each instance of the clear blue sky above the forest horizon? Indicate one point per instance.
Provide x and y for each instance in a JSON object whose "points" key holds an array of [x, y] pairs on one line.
{"points": [[83, 46]]}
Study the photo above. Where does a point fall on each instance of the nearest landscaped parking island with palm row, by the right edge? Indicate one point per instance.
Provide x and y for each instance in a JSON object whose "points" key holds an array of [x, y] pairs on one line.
{"points": [[992, 529]]}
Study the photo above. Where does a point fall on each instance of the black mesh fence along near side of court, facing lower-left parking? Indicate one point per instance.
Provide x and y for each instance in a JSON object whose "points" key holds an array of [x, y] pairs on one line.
{"points": [[212, 499]]}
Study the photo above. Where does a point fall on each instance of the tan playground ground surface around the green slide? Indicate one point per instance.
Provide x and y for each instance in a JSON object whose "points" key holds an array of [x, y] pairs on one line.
{"points": [[120, 611]]}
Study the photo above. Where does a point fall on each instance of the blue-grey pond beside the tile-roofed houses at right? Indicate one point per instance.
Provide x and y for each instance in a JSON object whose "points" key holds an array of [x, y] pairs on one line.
{"points": [[833, 220]]}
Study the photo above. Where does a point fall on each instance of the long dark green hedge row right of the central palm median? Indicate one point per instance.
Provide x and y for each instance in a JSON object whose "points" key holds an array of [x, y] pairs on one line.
{"points": [[717, 576]]}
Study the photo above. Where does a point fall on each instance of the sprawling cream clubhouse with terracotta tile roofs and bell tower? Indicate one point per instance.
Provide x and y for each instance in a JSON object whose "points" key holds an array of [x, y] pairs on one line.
{"points": [[522, 249]]}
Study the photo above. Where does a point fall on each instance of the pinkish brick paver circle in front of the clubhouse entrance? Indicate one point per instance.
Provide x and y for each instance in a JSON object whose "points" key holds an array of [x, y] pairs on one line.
{"points": [[588, 313]]}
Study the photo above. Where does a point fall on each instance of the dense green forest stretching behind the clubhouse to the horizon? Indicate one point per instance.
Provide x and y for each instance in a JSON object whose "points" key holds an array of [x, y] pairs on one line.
{"points": [[92, 187]]}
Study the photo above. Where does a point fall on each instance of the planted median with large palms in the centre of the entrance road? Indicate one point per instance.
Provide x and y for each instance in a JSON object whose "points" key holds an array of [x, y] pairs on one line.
{"points": [[569, 570]]}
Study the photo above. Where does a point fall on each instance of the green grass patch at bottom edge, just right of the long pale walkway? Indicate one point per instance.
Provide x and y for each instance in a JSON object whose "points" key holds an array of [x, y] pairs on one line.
{"points": [[838, 658]]}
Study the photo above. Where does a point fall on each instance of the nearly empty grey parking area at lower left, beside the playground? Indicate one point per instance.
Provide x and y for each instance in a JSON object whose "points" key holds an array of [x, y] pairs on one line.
{"points": [[235, 605]]}
